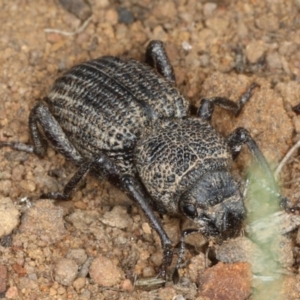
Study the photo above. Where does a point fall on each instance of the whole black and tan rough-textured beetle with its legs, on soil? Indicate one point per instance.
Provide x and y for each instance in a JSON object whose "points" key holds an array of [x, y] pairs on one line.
{"points": [[126, 121]]}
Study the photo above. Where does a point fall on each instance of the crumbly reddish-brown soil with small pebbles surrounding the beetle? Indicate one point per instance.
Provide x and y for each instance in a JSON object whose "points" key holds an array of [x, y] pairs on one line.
{"points": [[94, 246]]}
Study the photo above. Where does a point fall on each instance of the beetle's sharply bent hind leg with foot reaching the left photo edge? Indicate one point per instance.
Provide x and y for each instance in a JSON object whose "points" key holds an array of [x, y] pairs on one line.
{"points": [[41, 116]]}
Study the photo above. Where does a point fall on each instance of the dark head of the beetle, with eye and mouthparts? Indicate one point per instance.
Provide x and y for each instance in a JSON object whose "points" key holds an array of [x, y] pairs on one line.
{"points": [[215, 204]]}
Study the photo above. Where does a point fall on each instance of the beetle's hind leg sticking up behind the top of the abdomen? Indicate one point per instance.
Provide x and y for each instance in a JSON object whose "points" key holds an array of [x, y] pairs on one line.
{"points": [[157, 58]]}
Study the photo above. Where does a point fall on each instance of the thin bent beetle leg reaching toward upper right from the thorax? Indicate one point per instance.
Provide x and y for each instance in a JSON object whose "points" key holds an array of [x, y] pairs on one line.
{"points": [[206, 108]]}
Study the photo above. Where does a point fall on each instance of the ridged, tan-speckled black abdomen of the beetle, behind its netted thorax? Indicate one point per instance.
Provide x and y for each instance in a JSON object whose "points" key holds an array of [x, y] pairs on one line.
{"points": [[104, 104]]}
